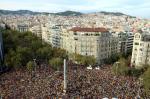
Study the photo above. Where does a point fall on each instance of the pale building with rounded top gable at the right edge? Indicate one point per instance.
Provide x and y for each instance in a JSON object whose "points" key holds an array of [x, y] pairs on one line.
{"points": [[141, 49]]}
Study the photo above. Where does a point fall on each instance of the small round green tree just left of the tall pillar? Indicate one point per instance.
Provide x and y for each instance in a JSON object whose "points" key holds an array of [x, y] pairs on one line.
{"points": [[56, 63]]}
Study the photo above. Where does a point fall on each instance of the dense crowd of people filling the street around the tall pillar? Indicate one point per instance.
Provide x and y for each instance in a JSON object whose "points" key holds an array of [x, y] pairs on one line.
{"points": [[45, 83]]}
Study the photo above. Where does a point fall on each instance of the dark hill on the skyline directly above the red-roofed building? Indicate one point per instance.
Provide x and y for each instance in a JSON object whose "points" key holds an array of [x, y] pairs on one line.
{"points": [[69, 13]]}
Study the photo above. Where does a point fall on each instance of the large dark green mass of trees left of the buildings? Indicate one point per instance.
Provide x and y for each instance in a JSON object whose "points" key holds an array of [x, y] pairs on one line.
{"points": [[20, 48]]}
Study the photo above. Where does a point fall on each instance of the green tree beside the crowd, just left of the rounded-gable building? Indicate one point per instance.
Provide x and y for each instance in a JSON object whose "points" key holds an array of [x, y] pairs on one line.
{"points": [[120, 67]]}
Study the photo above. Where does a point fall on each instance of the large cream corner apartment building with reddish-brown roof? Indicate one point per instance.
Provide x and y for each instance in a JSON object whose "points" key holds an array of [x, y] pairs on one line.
{"points": [[90, 41]]}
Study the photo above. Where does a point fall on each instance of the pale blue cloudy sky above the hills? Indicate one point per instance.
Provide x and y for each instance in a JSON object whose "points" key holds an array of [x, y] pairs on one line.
{"points": [[139, 8]]}
